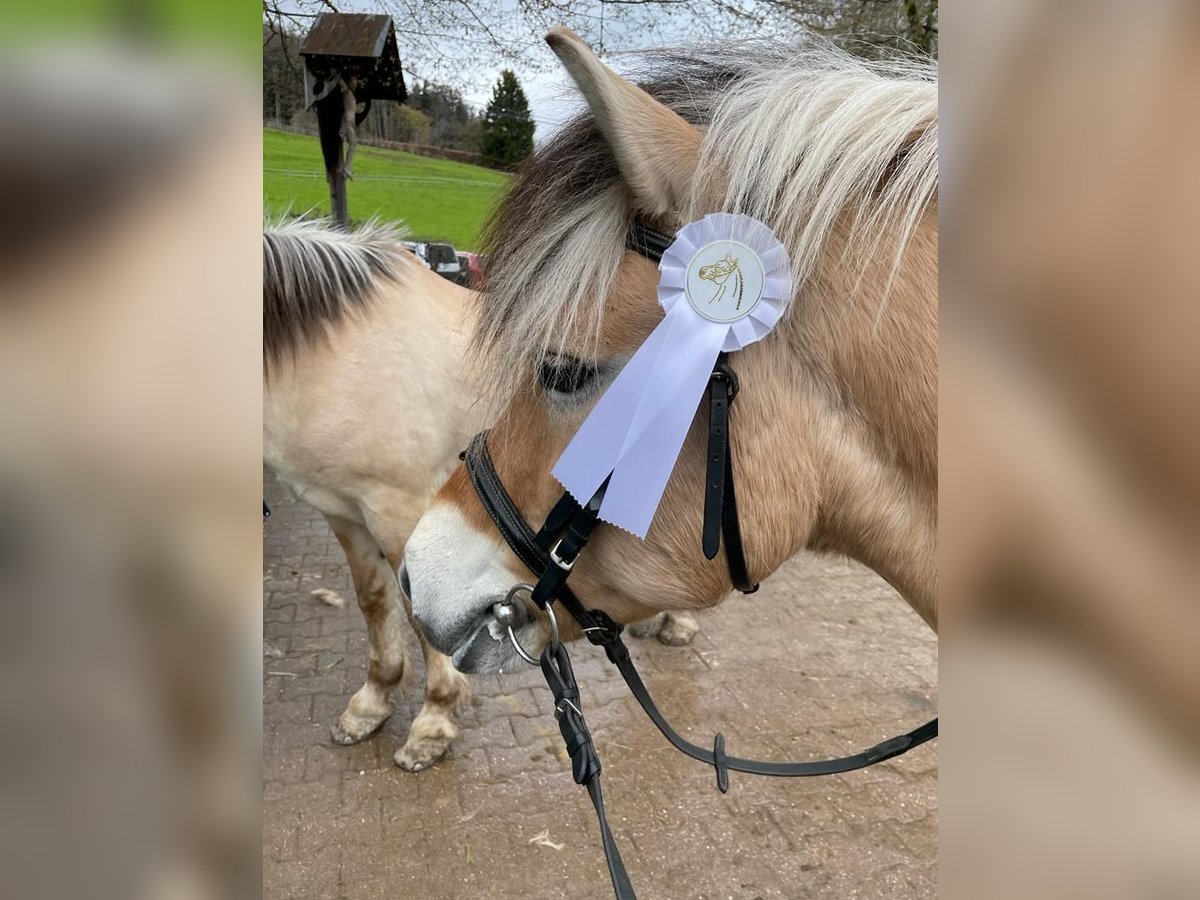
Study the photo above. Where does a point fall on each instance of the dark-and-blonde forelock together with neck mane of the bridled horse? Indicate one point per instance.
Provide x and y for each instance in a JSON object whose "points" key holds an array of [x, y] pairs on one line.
{"points": [[795, 136]]}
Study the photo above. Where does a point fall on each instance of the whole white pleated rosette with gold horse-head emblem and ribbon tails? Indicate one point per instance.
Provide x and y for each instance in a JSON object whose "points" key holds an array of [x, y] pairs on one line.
{"points": [[725, 284]]}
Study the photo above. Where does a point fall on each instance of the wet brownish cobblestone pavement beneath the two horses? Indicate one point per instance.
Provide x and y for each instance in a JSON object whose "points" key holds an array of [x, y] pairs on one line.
{"points": [[824, 661]]}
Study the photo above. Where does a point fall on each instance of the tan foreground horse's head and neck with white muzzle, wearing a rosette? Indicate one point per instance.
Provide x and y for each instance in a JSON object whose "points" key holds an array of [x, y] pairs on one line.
{"points": [[835, 430]]}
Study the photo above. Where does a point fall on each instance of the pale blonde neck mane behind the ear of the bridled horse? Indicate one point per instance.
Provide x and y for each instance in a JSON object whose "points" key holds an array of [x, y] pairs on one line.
{"points": [[800, 143]]}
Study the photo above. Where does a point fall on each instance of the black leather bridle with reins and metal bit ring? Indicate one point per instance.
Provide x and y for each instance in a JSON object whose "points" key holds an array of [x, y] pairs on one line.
{"points": [[551, 554]]}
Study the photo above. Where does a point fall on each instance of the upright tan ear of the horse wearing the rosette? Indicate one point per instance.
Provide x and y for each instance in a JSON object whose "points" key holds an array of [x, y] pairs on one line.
{"points": [[656, 149]]}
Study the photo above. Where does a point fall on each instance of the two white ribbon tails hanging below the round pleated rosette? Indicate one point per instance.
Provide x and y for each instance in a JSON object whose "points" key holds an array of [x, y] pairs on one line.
{"points": [[638, 429]]}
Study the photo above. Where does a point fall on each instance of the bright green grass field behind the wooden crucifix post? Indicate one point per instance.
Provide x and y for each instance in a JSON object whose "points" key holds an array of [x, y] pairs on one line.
{"points": [[439, 200]]}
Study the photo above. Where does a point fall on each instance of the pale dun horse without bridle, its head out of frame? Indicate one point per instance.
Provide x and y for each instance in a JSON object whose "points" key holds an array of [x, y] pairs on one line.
{"points": [[363, 434]]}
